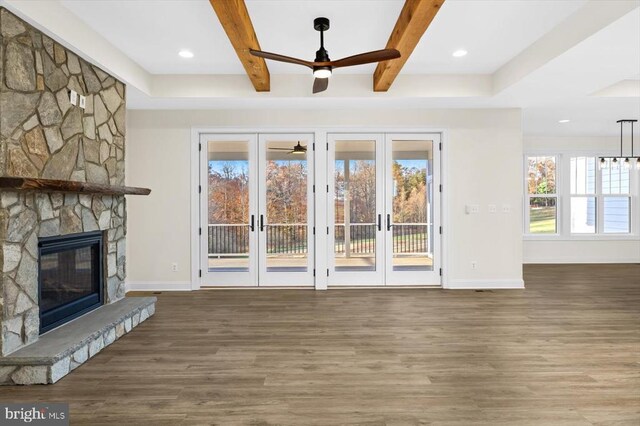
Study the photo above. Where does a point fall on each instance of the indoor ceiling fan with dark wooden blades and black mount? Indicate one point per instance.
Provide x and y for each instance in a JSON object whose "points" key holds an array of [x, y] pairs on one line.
{"points": [[323, 66]]}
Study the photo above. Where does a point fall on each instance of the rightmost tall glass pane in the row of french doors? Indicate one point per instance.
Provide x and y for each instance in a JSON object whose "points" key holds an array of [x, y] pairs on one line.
{"points": [[412, 192]]}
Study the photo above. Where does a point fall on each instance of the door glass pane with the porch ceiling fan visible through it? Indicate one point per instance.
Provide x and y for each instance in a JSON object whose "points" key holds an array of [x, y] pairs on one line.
{"points": [[286, 222]]}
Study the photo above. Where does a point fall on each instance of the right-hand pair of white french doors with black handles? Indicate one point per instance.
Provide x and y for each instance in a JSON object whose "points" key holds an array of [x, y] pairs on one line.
{"points": [[384, 207]]}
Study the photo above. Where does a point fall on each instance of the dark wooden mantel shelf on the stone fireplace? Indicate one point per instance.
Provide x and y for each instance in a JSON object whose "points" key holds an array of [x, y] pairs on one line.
{"points": [[51, 185]]}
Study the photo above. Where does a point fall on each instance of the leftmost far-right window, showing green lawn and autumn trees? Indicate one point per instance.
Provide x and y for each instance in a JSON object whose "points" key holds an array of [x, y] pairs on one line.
{"points": [[541, 194]]}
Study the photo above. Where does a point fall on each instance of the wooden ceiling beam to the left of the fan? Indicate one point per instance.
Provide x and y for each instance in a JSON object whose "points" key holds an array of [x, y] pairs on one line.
{"points": [[235, 20]]}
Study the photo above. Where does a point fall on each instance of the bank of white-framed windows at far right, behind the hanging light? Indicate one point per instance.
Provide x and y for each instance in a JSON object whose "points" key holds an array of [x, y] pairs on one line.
{"points": [[571, 196]]}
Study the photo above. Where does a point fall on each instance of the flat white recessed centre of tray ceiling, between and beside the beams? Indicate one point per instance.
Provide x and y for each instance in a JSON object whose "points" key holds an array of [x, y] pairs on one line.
{"points": [[152, 32]]}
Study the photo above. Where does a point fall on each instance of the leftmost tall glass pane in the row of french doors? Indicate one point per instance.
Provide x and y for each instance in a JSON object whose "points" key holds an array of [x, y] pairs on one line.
{"points": [[228, 206]]}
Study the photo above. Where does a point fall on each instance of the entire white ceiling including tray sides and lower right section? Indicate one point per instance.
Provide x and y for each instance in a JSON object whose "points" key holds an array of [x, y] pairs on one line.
{"points": [[555, 59]]}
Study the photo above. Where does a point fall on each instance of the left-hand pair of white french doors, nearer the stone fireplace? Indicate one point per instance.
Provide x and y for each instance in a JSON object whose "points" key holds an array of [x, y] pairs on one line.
{"points": [[256, 209]]}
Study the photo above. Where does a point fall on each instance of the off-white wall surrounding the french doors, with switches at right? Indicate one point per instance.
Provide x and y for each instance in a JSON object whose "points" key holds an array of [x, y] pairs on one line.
{"points": [[484, 167]]}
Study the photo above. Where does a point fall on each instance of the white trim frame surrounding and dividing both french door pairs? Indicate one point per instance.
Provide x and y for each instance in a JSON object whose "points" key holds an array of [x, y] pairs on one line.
{"points": [[321, 180]]}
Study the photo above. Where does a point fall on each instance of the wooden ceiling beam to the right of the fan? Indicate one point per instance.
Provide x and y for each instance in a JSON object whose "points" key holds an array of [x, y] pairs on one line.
{"points": [[414, 19]]}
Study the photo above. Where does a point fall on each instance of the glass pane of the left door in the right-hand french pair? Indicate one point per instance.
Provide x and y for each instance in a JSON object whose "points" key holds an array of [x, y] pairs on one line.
{"points": [[355, 206]]}
